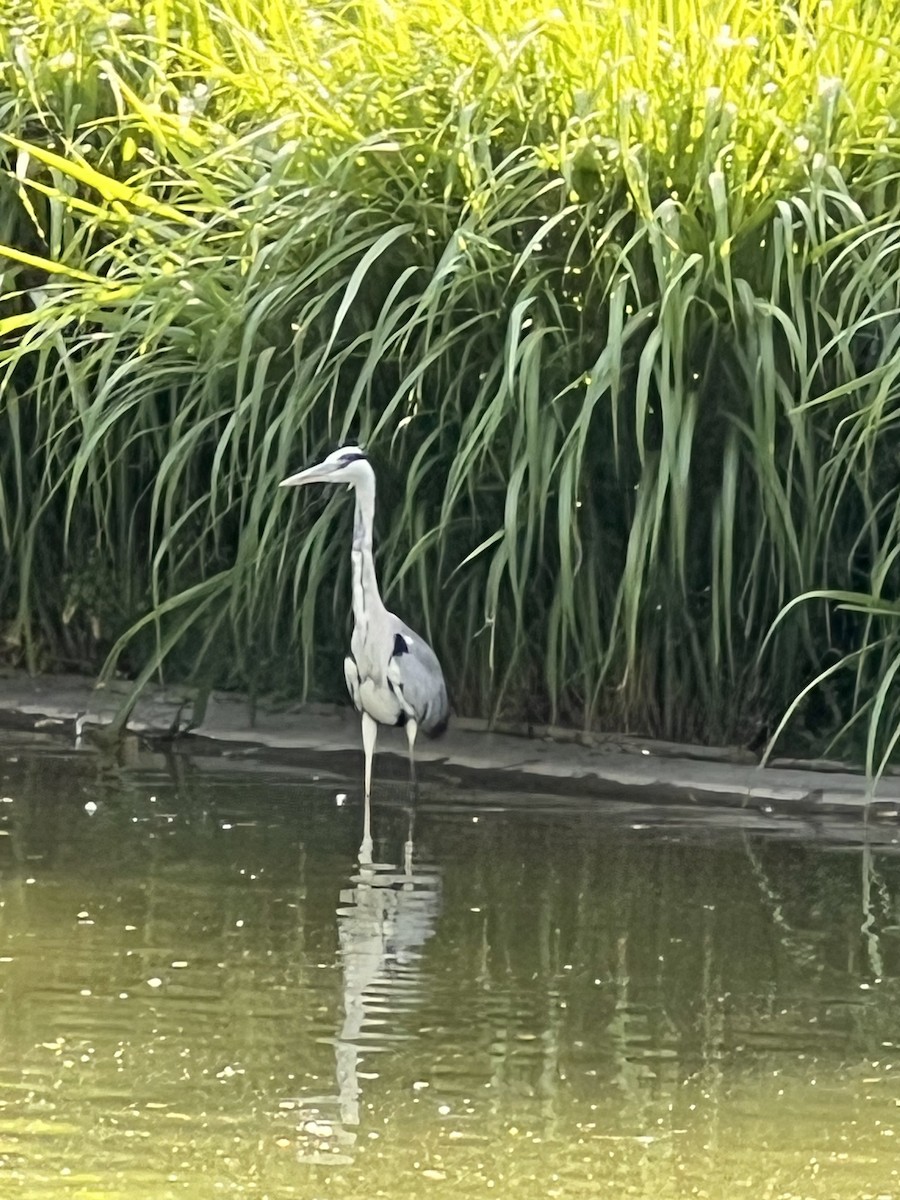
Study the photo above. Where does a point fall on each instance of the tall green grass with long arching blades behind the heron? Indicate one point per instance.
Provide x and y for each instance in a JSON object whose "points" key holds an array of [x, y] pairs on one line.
{"points": [[610, 295]]}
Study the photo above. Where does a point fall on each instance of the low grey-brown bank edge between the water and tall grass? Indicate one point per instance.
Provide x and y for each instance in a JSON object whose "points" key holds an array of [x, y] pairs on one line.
{"points": [[550, 761]]}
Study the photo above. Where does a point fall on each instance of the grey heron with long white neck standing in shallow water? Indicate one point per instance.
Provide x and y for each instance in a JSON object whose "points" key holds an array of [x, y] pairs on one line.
{"points": [[393, 675]]}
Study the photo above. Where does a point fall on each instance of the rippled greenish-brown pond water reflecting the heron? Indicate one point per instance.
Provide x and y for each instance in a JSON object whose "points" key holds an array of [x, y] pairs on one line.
{"points": [[203, 994]]}
